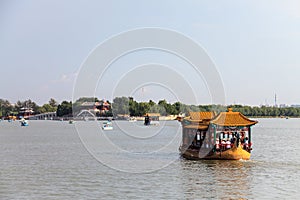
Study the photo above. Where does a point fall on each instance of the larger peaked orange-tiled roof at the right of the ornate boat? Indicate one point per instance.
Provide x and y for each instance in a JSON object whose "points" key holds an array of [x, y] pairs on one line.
{"points": [[231, 118]]}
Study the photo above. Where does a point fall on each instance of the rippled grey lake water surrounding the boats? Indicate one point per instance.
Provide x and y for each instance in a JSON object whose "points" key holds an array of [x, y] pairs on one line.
{"points": [[47, 160]]}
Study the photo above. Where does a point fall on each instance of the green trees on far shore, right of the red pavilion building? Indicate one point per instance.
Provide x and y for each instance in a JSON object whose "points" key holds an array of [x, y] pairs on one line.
{"points": [[128, 106]]}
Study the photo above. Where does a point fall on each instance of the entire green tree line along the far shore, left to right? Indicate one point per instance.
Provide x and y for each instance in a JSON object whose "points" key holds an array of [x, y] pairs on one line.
{"points": [[129, 106]]}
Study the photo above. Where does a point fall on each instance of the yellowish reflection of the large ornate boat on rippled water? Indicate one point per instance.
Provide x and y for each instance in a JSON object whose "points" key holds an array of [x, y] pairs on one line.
{"points": [[217, 179]]}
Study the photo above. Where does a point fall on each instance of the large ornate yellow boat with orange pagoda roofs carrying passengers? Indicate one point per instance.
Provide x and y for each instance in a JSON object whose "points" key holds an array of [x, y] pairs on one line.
{"points": [[226, 136]]}
